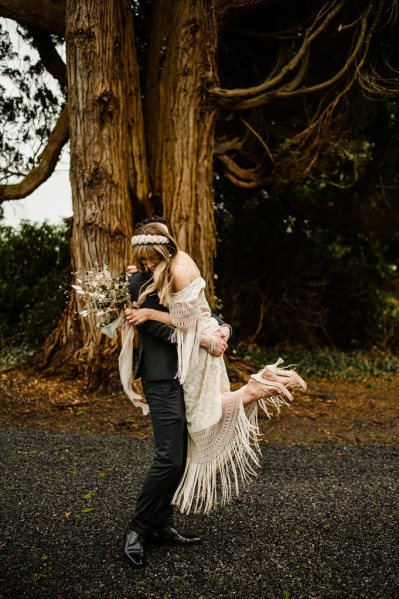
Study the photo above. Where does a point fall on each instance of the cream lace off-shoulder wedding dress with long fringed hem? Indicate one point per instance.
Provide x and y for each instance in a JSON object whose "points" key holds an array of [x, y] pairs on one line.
{"points": [[223, 435]]}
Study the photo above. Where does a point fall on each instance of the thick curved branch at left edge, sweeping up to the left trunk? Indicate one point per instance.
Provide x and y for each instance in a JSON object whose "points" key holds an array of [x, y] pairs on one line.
{"points": [[49, 158]]}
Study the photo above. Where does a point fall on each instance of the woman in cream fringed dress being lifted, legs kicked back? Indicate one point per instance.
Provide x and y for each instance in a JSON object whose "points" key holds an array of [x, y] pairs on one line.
{"points": [[222, 424]]}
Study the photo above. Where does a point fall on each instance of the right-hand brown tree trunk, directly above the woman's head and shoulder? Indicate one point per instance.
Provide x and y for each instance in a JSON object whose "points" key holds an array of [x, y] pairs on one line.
{"points": [[180, 123]]}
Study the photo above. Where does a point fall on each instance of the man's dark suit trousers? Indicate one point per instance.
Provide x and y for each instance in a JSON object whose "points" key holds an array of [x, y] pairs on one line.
{"points": [[154, 510]]}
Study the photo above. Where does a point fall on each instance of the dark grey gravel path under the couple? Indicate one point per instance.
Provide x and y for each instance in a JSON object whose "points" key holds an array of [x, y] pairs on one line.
{"points": [[319, 522]]}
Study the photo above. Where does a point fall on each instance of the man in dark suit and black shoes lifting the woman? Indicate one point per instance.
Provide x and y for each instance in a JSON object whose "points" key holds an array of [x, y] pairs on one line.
{"points": [[152, 521]]}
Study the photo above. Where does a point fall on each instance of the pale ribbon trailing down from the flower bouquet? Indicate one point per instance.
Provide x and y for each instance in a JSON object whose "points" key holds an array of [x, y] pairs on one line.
{"points": [[125, 360]]}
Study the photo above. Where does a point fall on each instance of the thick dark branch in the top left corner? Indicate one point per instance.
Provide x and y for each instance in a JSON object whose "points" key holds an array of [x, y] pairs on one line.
{"points": [[47, 15]]}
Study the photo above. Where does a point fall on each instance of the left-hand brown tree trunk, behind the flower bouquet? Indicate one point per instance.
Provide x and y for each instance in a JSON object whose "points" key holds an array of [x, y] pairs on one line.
{"points": [[108, 180]]}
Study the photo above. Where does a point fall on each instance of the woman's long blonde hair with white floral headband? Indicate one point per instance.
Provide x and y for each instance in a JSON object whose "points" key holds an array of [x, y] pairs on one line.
{"points": [[164, 253]]}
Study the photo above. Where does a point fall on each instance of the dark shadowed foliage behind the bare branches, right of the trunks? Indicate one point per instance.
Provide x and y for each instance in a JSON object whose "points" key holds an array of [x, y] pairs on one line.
{"points": [[311, 257]]}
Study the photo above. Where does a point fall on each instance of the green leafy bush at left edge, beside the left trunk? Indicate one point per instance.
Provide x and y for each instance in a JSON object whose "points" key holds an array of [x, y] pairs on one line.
{"points": [[34, 267]]}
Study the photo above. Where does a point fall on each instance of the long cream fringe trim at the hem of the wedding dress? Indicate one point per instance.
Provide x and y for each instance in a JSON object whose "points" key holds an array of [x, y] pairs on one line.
{"points": [[222, 456]]}
